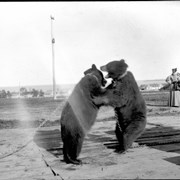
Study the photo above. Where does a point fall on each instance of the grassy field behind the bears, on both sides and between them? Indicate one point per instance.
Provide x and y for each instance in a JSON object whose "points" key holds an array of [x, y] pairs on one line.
{"points": [[33, 111]]}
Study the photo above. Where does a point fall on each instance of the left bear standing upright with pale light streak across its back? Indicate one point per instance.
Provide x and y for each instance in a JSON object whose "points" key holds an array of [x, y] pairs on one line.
{"points": [[79, 113]]}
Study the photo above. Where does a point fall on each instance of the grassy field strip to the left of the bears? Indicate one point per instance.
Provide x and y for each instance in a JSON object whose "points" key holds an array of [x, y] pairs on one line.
{"points": [[29, 112]]}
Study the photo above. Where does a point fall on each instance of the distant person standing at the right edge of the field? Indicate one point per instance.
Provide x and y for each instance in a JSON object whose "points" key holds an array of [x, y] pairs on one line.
{"points": [[174, 80]]}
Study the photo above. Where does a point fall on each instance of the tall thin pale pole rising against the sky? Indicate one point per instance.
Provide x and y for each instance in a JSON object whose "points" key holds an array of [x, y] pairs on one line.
{"points": [[53, 60]]}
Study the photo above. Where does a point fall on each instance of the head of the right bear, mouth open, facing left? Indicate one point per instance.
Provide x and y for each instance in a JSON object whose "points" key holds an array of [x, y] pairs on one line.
{"points": [[115, 69]]}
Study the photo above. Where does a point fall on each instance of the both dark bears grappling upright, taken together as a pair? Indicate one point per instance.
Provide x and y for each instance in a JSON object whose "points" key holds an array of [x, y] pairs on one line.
{"points": [[81, 109]]}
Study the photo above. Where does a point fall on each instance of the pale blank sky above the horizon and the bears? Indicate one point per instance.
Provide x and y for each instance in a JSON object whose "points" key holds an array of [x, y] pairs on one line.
{"points": [[145, 34]]}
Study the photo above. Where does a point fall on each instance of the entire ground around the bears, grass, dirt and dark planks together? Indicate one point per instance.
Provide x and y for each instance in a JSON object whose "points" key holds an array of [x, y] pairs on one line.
{"points": [[31, 153]]}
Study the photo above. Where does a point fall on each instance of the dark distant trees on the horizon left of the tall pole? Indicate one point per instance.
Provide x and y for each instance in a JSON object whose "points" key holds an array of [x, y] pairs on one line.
{"points": [[23, 92]]}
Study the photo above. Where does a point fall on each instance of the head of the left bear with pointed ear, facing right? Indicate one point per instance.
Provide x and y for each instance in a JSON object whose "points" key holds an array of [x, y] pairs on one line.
{"points": [[93, 71]]}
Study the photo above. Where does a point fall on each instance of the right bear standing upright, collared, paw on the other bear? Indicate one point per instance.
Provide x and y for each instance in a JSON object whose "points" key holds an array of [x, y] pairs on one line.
{"points": [[130, 108]]}
